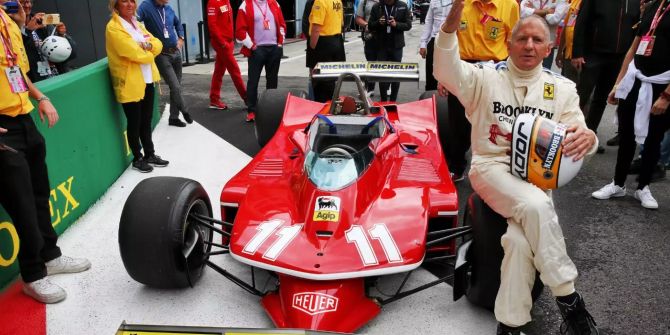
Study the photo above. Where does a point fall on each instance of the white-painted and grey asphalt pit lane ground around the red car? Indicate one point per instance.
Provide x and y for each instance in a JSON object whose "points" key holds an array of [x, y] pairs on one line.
{"points": [[620, 249]]}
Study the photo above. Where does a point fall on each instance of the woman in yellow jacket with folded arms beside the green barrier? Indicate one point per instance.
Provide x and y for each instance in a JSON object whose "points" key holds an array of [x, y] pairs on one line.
{"points": [[131, 50]]}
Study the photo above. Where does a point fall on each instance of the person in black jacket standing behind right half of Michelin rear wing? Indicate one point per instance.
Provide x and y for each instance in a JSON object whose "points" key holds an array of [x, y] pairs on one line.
{"points": [[390, 20]]}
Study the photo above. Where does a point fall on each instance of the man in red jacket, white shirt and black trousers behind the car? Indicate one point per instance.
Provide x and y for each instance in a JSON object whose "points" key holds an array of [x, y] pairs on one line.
{"points": [[260, 28]]}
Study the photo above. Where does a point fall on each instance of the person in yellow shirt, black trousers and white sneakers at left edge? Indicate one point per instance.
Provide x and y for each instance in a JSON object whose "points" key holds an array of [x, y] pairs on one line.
{"points": [[24, 179]]}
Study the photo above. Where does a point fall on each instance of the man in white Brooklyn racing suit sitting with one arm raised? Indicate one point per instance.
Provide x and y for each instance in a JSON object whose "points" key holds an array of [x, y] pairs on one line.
{"points": [[493, 95]]}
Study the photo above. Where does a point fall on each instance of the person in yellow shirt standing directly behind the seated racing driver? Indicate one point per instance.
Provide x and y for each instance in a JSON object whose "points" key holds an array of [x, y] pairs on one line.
{"points": [[483, 32]]}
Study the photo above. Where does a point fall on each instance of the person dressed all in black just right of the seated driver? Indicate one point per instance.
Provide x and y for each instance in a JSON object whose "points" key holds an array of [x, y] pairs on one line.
{"points": [[603, 33]]}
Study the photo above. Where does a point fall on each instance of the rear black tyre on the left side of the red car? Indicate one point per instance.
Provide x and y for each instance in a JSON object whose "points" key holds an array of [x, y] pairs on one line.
{"points": [[269, 112]]}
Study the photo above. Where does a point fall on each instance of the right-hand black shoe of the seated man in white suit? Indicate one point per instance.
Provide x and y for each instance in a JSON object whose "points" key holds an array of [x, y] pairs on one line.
{"points": [[576, 319]]}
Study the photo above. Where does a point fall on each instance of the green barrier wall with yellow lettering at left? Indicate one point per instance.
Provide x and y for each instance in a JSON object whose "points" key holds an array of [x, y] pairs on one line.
{"points": [[86, 151]]}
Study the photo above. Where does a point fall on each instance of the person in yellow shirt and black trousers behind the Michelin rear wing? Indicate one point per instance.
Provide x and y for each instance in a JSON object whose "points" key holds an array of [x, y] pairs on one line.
{"points": [[326, 41]]}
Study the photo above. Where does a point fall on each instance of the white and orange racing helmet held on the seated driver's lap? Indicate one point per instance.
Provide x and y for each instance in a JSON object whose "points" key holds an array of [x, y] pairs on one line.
{"points": [[537, 153]]}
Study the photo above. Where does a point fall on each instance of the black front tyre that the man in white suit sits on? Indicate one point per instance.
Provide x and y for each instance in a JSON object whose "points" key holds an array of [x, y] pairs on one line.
{"points": [[485, 254]]}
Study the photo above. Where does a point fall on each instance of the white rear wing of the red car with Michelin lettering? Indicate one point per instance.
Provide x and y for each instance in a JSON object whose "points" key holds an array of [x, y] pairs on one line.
{"points": [[367, 71]]}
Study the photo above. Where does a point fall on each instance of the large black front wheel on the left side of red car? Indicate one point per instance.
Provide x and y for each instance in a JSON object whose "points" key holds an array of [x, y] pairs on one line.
{"points": [[161, 244]]}
